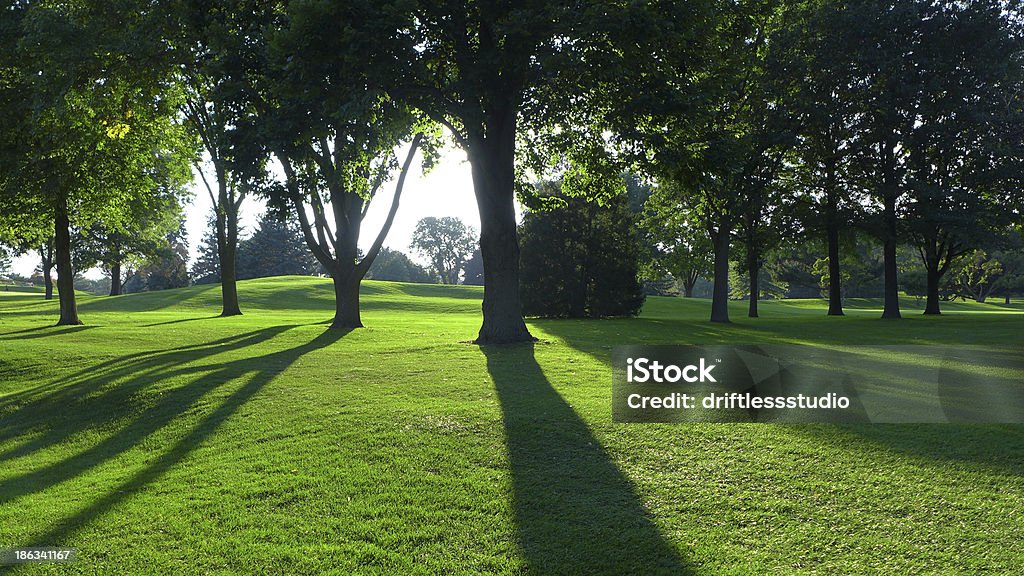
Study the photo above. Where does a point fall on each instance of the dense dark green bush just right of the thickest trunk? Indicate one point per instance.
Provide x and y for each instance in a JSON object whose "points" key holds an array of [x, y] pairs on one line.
{"points": [[580, 260]]}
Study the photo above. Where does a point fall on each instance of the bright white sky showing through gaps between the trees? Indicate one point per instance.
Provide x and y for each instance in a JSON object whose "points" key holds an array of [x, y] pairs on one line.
{"points": [[446, 191]]}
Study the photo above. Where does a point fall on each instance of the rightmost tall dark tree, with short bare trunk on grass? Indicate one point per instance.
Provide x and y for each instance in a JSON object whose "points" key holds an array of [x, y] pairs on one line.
{"points": [[956, 198]]}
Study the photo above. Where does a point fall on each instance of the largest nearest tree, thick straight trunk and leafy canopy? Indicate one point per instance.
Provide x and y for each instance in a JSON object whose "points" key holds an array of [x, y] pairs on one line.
{"points": [[494, 71]]}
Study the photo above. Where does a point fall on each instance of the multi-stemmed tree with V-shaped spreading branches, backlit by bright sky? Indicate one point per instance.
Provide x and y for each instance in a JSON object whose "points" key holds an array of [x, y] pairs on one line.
{"points": [[308, 96]]}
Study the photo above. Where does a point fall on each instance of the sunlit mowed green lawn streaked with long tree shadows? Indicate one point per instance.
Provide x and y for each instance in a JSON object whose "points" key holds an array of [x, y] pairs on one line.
{"points": [[159, 439]]}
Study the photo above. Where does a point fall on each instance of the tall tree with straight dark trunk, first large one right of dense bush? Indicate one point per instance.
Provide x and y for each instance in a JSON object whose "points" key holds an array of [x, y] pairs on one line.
{"points": [[707, 129]]}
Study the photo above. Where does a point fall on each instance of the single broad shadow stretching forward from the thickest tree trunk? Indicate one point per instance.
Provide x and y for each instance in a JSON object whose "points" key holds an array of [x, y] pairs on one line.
{"points": [[576, 512]]}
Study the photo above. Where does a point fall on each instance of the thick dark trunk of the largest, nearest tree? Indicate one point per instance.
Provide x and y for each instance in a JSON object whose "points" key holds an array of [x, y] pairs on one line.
{"points": [[493, 161]]}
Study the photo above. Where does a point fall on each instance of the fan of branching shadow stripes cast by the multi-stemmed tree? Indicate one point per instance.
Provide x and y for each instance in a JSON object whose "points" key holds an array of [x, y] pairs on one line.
{"points": [[255, 373]]}
